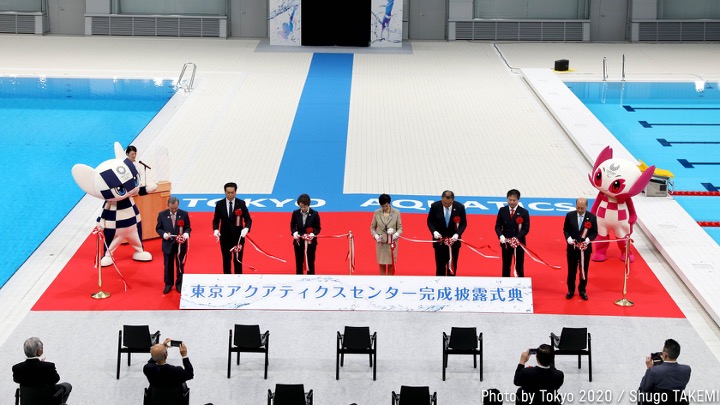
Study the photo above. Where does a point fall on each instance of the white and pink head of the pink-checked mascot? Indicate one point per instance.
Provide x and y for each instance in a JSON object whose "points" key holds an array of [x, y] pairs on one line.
{"points": [[618, 178]]}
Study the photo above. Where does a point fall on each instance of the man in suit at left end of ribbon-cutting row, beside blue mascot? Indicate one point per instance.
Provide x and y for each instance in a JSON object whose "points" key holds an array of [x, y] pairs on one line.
{"points": [[173, 225]]}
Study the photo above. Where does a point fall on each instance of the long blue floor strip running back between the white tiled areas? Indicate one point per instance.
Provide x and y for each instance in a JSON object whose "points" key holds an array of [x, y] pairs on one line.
{"points": [[314, 159]]}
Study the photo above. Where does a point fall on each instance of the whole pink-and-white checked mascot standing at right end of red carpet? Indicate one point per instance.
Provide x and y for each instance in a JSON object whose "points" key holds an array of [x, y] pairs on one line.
{"points": [[617, 180]]}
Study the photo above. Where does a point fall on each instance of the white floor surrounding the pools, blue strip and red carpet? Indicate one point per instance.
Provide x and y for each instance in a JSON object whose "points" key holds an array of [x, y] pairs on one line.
{"points": [[405, 107]]}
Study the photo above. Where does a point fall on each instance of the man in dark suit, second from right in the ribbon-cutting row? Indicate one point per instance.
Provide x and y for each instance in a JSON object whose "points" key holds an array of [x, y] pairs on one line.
{"points": [[513, 221]]}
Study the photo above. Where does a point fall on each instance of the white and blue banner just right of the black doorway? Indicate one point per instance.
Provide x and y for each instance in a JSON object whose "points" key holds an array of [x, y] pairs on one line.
{"points": [[386, 23]]}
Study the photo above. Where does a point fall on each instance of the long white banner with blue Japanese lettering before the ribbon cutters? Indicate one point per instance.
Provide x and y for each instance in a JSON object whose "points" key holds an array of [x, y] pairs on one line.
{"points": [[356, 293]]}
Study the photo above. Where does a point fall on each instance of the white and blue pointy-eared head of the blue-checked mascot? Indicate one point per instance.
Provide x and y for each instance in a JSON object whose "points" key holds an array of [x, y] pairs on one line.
{"points": [[113, 180]]}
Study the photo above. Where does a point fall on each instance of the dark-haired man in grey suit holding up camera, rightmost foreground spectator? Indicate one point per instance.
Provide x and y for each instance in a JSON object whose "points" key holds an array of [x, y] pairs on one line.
{"points": [[667, 376]]}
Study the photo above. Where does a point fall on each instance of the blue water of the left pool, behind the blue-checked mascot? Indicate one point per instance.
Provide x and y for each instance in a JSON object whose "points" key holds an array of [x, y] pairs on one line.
{"points": [[47, 126]]}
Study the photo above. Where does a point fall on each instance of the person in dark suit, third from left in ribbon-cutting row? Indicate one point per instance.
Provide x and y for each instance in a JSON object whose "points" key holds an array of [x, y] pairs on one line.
{"points": [[304, 226]]}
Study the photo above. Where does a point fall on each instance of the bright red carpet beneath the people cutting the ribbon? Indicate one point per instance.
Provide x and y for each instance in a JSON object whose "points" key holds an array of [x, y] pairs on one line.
{"points": [[72, 288]]}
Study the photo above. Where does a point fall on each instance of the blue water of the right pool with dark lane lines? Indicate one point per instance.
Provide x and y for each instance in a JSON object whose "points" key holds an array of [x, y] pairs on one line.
{"points": [[674, 126]]}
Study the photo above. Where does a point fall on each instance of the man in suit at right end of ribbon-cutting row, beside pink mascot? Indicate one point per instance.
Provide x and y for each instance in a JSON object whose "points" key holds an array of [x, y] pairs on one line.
{"points": [[580, 228]]}
